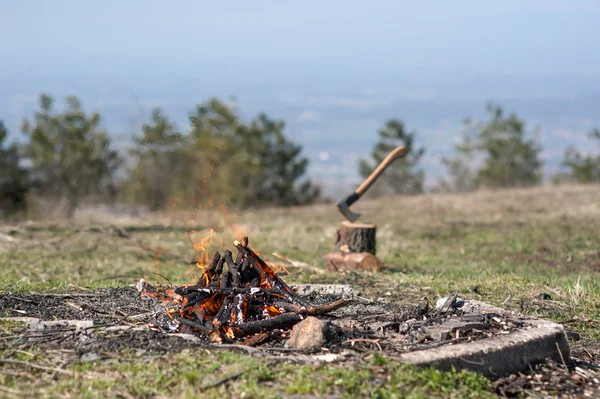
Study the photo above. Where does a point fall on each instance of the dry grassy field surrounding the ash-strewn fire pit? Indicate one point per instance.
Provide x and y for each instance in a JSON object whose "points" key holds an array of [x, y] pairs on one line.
{"points": [[536, 251]]}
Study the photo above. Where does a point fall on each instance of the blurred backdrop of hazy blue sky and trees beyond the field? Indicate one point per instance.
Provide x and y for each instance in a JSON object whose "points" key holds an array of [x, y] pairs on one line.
{"points": [[141, 106]]}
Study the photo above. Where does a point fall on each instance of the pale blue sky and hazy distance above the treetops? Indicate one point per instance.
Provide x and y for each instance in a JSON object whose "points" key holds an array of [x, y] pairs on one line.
{"points": [[340, 67]]}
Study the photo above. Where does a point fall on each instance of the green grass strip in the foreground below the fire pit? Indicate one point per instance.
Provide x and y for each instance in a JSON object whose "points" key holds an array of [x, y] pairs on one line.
{"points": [[196, 374]]}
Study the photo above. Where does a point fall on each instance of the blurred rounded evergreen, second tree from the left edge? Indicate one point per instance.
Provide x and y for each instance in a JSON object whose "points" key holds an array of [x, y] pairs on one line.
{"points": [[69, 152]]}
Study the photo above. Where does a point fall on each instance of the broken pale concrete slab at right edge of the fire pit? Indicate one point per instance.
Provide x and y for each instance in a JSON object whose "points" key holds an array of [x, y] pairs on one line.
{"points": [[500, 355]]}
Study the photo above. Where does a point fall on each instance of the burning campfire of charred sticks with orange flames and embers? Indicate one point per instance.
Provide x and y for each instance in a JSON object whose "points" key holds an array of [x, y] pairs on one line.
{"points": [[234, 299]]}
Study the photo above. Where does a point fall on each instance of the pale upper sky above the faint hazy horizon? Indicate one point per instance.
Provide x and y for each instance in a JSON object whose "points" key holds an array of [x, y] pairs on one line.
{"points": [[546, 37]]}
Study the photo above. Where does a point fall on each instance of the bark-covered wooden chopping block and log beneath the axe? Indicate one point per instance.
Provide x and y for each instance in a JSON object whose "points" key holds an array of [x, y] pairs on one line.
{"points": [[354, 248]]}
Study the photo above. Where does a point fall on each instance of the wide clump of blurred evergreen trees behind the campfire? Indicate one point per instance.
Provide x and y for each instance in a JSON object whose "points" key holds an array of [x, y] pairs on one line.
{"points": [[221, 160]]}
